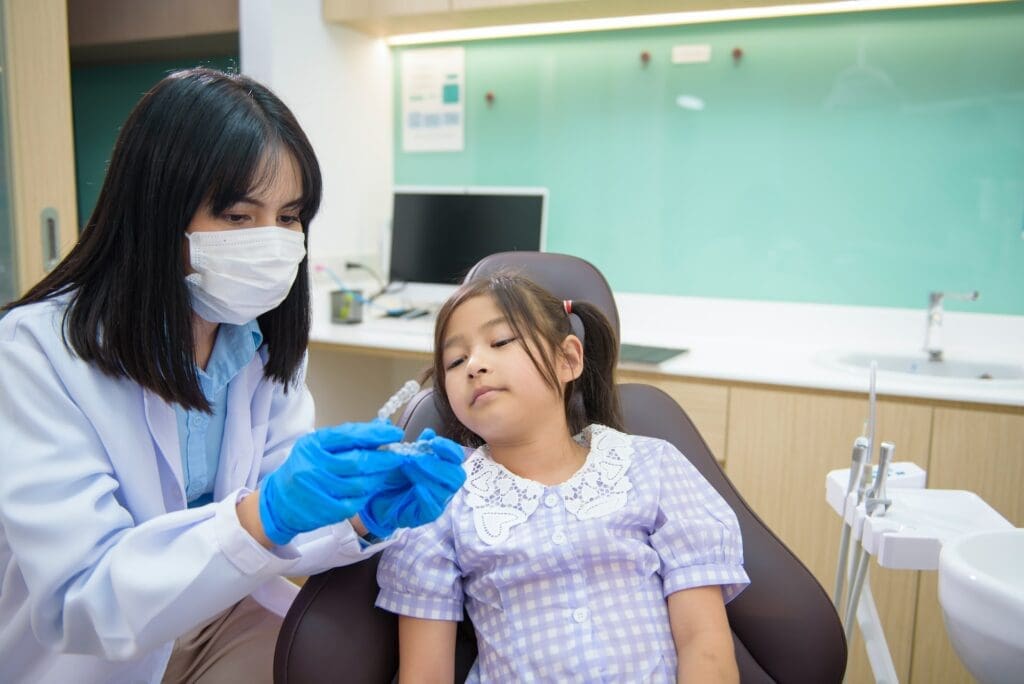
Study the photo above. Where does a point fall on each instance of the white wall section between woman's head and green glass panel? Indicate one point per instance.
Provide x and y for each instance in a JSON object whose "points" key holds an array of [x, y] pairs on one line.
{"points": [[338, 84]]}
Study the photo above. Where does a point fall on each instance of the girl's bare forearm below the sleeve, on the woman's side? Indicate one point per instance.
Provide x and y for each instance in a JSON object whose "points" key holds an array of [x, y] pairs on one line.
{"points": [[426, 651]]}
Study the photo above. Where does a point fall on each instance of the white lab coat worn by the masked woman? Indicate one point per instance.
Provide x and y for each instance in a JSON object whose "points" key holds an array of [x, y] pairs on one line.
{"points": [[102, 565]]}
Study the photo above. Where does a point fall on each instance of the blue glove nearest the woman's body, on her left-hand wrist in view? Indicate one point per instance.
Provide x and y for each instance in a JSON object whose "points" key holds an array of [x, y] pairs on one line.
{"points": [[328, 478]]}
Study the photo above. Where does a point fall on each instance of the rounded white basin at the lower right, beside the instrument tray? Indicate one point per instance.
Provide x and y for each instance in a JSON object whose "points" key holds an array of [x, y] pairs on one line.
{"points": [[982, 591]]}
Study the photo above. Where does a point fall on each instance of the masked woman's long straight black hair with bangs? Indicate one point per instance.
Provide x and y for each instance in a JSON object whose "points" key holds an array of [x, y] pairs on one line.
{"points": [[200, 139]]}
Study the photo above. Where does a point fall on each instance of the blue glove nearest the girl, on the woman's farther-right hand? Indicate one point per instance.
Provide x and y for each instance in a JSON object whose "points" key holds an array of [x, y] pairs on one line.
{"points": [[426, 485]]}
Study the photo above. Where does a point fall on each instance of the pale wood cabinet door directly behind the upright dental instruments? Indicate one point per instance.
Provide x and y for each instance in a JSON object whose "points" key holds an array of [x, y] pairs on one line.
{"points": [[782, 444]]}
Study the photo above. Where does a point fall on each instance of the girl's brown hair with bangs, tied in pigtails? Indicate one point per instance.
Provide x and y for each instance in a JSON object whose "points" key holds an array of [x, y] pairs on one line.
{"points": [[539, 321]]}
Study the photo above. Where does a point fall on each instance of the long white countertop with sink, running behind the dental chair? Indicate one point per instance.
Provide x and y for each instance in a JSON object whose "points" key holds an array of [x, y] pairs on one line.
{"points": [[777, 344]]}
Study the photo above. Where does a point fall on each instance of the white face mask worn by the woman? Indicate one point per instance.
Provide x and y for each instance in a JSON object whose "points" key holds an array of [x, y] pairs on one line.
{"points": [[242, 274]]}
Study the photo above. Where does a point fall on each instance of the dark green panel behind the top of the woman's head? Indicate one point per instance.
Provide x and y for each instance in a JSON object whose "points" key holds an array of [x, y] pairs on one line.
{"points": [[103, 96]]}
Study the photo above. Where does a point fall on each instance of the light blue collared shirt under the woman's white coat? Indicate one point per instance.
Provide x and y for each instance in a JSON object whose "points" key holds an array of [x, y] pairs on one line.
{"points": [[200, 435]]}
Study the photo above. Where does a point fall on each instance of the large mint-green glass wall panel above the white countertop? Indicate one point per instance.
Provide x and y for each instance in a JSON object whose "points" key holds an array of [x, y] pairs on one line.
{"points": [[855, 159]]}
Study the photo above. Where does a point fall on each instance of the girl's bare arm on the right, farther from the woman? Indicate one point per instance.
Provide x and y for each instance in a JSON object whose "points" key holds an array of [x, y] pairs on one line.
{"points": [[704, 642]]}
